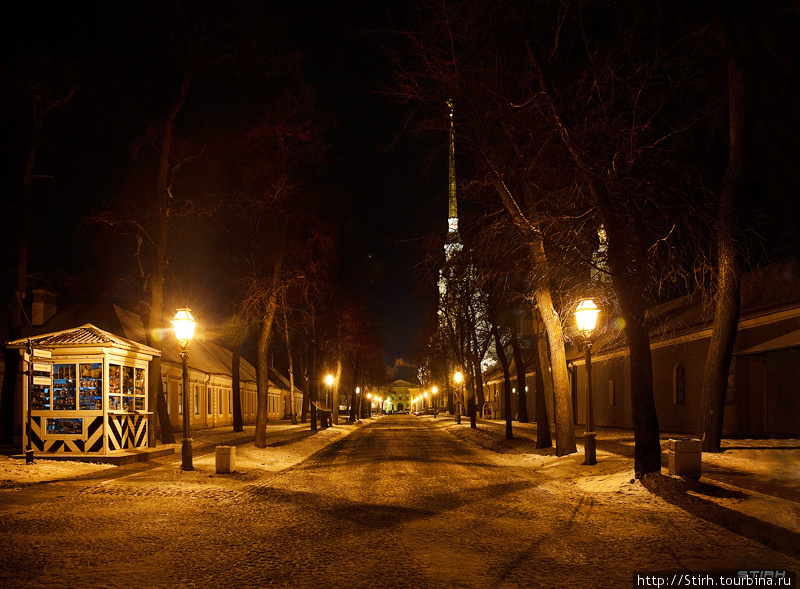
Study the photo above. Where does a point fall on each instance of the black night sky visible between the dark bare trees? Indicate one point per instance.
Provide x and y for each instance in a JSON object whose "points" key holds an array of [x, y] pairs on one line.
{"points": [[389, 186]]}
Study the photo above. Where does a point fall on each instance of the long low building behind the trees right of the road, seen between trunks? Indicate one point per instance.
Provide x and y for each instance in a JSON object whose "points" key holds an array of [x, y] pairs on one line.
{"points": [[763, 397]]}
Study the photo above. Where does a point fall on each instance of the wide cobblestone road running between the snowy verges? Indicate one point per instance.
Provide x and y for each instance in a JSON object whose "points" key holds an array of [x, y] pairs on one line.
{"points": [[397, 503]]}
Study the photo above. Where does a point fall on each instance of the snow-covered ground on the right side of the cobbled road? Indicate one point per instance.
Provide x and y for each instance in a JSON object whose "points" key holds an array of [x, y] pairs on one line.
{"points": [[775, 462]]}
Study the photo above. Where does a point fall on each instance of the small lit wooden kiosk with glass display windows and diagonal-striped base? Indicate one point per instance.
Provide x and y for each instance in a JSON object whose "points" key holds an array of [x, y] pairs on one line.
{"points": [[84, 392]]}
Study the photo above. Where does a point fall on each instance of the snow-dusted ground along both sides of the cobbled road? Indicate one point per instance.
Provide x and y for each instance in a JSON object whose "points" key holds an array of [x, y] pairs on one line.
{"points": [[775, 461]]}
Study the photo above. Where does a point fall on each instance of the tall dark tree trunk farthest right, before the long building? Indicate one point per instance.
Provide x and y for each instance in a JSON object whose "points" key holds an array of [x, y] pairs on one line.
{"points": [[726, 313]]}
